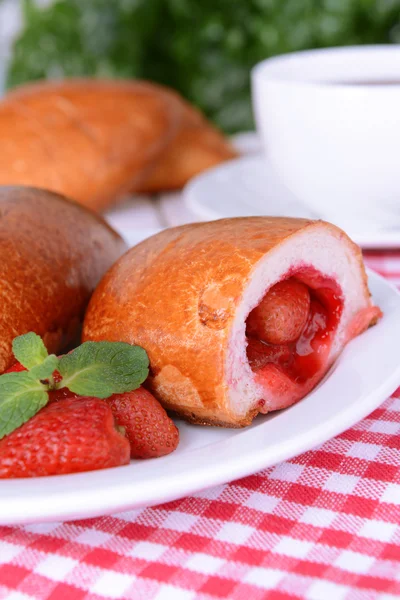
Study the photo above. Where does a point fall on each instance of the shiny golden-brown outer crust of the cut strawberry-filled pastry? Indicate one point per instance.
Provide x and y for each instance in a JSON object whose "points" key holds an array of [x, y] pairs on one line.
{"points": [[176, 295]]}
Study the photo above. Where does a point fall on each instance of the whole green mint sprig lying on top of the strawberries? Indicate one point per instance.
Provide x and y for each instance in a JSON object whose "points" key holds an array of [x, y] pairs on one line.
{"points": [[97, 369]]}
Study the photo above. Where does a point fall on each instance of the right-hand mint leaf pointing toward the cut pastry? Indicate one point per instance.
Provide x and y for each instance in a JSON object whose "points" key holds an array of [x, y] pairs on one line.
{"points": [[101, 369]]}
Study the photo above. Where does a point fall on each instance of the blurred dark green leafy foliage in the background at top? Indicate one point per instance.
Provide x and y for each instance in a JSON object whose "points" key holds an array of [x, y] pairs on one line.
{"points": [[203, 48]]}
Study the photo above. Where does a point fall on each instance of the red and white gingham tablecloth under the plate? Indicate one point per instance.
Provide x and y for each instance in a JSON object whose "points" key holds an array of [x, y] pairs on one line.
{"points": [[323, 526]]}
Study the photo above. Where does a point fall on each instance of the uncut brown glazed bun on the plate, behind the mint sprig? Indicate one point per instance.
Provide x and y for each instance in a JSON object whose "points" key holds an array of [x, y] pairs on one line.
{"points": [[52, 254]]}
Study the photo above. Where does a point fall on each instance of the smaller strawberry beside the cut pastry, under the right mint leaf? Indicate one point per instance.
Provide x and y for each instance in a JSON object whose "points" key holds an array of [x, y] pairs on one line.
{"points": [[147, 426]]}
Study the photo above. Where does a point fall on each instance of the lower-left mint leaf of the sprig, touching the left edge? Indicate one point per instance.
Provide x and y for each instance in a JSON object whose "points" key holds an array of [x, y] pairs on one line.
{"points": [[21, 397]]}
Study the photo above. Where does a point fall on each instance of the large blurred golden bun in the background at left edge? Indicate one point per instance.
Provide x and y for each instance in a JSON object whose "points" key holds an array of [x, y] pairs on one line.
{"points": [[91, 140]]}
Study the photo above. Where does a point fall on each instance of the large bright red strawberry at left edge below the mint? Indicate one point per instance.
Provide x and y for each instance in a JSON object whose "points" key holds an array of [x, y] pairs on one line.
{"points": [[70, 436]]}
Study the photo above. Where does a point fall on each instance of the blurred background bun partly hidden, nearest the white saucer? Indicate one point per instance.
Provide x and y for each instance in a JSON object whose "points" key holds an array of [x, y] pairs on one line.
{"points": [[197, 146]]}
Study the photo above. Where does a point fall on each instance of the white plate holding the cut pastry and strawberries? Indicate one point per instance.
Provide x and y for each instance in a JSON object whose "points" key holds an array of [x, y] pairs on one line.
{"points": [[367, 372]]}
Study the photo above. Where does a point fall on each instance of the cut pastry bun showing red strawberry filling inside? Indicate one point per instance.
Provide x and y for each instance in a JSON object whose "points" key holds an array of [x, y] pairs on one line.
{"points": [[238, 316]]}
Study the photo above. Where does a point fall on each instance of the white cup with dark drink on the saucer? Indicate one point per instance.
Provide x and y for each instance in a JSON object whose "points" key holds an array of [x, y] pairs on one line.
{"points": [[330, 124]]}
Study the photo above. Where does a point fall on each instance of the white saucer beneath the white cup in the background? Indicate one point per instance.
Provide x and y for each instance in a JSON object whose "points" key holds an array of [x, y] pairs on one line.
{"points": [[249, 186]]}
